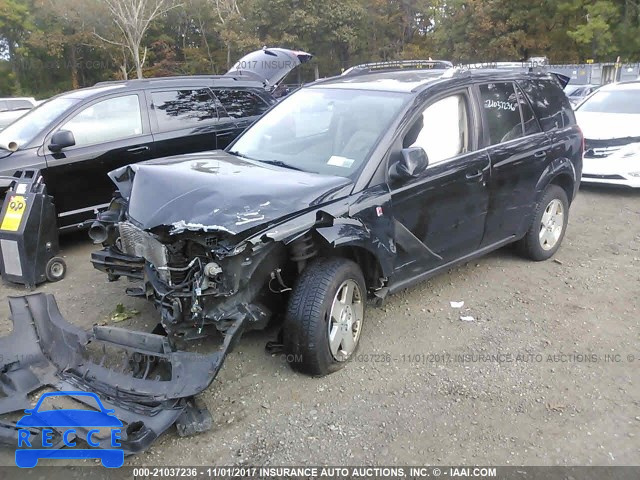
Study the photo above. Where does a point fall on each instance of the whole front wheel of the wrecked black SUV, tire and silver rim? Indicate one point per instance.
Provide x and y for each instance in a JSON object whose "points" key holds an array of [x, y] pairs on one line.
{"points": [[324, 317]]}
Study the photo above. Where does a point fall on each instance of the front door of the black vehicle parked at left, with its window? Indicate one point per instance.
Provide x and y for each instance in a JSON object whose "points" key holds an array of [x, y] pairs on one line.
{"points": [[110, 132]]}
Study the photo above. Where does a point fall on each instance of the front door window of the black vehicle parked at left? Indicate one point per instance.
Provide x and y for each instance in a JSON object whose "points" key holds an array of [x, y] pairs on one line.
{"points": [[112, 119]]}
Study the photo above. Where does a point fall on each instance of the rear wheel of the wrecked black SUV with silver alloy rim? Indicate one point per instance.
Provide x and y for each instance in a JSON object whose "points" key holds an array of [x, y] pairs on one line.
{"points": [[548, 227]]}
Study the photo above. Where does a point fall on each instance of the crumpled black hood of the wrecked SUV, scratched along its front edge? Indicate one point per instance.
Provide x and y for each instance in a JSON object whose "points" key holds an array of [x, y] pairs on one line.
{"points": [[216, 191]]}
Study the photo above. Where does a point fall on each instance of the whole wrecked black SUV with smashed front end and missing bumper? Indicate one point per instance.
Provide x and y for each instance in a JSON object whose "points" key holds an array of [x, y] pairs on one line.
{"points": [[349, 189]]}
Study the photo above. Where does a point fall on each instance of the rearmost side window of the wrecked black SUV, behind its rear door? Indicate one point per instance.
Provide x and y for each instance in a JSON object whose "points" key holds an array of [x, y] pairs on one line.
{"points": [[549, 102]]}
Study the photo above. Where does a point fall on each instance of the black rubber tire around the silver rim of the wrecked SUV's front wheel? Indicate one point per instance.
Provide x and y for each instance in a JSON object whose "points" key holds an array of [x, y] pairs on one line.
{"points": [[307, 321]]}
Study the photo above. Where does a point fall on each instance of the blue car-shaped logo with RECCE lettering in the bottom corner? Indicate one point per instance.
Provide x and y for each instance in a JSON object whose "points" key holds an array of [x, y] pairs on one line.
{"points": [[70, 425]]}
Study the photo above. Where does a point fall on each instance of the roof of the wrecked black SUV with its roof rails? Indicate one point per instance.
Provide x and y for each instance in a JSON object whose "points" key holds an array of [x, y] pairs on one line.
{"points": [[416, 80]]}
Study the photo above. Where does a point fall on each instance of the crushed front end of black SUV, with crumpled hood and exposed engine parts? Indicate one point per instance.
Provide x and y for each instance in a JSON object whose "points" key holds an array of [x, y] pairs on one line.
{"points": [[212, 251]]}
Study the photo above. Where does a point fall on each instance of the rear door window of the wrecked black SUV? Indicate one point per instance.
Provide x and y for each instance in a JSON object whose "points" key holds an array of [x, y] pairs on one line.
{"points": [[500, 106]]}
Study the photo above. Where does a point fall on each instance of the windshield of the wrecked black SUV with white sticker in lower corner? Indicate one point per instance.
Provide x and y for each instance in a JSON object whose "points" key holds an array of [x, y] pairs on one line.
{"points": [[327, 131]]}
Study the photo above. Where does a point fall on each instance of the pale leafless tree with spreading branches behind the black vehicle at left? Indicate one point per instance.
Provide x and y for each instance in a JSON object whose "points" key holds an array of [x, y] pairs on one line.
{"points": [[133, 18]]}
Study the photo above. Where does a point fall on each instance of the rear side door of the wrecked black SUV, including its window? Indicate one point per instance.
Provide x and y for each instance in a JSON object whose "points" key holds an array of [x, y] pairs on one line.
{"points": [[519, 152]]}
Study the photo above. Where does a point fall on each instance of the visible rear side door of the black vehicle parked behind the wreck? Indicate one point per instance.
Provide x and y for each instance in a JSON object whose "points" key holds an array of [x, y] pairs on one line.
{"points": [[184, 120]]}
